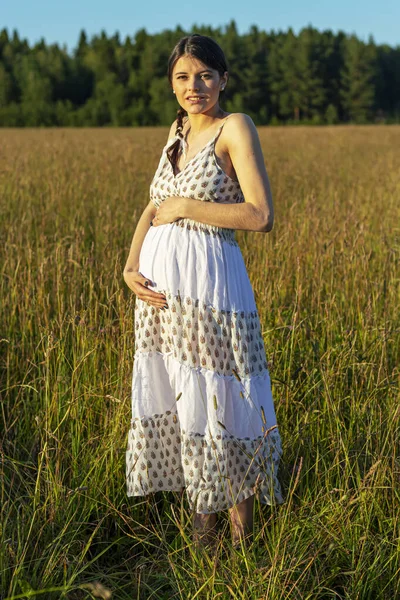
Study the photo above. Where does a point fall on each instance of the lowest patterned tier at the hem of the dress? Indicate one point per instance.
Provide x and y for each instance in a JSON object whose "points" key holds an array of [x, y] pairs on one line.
{"points": [[217, 470]]}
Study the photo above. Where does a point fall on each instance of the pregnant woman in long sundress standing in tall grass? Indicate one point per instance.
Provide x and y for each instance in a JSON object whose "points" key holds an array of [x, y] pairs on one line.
{"points": [[203, 416]]}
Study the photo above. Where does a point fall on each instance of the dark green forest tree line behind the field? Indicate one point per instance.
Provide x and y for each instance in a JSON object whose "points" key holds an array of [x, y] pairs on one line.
{"points": [[277, 77]]}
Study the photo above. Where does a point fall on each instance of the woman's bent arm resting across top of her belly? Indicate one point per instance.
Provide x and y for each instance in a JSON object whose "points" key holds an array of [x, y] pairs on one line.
{"points": [[240, 140]]}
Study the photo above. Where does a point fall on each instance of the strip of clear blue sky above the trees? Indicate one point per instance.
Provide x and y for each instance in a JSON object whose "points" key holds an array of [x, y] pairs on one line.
{"points": [[61, 22]]}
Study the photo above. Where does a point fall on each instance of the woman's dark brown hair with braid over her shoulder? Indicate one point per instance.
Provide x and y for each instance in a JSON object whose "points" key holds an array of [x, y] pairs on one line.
{"points": [[208, 52]]}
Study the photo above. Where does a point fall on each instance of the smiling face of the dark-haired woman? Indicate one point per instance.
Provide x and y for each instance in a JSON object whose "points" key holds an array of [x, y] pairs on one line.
{"points": [[196, 85]]}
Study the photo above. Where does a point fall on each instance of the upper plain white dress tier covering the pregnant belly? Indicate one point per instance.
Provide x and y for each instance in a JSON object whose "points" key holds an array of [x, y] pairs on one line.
{"points": [[193, 264]]}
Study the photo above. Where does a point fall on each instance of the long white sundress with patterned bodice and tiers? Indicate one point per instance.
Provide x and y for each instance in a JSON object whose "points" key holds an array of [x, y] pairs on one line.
{"points": [[203, 416]]}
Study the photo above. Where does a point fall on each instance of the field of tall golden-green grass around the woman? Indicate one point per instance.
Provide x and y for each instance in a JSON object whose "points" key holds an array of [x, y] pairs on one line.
{"points": [[326, 281]]}
